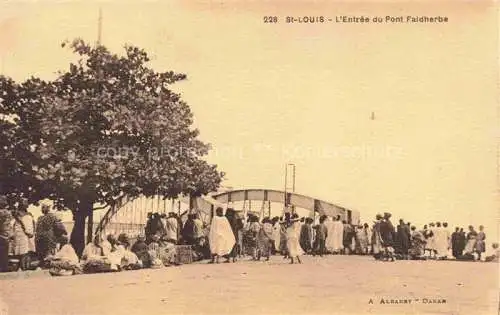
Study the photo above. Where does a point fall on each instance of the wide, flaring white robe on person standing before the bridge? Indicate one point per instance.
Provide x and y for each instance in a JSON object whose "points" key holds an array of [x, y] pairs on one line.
{"points": [[221, 238]]}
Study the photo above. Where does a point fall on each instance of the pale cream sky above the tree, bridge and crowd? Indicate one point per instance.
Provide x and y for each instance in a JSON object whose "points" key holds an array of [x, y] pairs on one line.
{"points": [[267, 94]]}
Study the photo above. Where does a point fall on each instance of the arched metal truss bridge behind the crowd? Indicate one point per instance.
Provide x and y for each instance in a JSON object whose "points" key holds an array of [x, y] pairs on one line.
{"points": [[130, 214]]}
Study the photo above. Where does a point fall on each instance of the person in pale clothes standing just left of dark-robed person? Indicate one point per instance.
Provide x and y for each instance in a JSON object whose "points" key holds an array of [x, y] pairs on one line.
{"points": [[24, 232]]}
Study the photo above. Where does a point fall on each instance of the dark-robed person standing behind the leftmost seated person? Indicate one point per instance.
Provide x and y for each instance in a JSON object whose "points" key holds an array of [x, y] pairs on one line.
{"points": [[49, 229]]}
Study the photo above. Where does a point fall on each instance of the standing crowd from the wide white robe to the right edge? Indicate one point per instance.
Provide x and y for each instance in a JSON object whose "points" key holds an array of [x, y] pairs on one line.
{"points": [[293, 237]]}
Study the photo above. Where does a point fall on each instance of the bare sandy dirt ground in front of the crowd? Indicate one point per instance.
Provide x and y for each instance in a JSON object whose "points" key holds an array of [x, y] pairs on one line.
{"points": [[329, 285]]}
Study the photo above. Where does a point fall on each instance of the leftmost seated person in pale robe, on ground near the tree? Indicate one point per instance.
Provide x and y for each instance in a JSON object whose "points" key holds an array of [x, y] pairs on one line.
{"points": [[65, 261]]}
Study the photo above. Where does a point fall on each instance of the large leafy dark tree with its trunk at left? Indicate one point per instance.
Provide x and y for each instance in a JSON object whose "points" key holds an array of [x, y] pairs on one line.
{"points": [[109, 126]]}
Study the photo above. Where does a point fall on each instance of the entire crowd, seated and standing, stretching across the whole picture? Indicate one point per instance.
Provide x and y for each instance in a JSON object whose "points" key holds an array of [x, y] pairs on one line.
{"points": [[230, 236]]}
